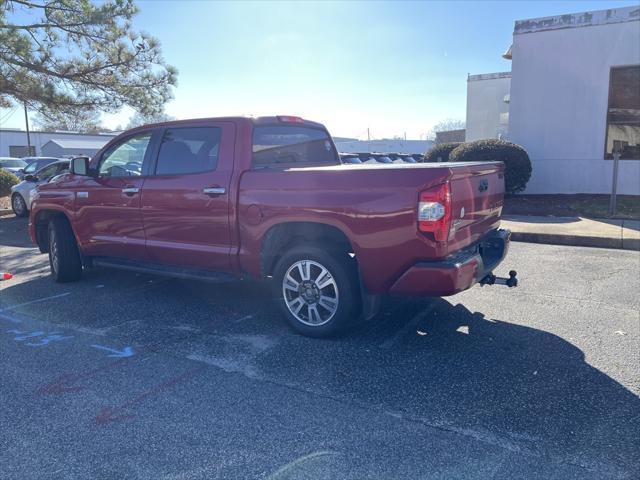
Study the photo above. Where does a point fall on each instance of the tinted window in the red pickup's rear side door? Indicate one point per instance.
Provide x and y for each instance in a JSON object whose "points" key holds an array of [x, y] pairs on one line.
{"points": [[188, 150]]}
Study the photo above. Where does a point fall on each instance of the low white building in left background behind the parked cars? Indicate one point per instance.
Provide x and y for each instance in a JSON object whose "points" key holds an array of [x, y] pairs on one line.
{"points": [[13, 143]]}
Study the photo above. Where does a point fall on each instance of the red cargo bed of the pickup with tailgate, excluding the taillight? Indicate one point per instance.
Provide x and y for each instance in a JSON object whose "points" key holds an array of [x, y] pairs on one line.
{"points": [[375, 205]]}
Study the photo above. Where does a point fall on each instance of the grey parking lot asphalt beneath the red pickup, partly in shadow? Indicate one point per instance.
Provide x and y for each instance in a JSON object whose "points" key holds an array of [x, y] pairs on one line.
{"points": [[124, 375]]}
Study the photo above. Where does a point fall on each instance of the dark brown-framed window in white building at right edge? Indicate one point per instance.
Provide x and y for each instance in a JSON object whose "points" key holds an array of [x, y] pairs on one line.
{"points": [[623, 114]]}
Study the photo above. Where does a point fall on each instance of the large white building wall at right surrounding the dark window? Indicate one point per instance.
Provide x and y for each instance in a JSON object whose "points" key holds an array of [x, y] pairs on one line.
{"points": [[559, 99]]}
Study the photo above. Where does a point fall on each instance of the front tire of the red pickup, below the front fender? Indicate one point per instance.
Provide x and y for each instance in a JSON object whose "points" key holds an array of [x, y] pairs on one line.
{"points": [[64, 257]]}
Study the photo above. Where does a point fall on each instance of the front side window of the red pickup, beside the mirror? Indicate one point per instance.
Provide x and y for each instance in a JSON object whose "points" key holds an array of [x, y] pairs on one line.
{"points": [[125, 159]]}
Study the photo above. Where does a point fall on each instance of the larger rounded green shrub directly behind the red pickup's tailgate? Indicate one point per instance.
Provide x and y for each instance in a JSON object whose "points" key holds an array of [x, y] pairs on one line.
{"points": [[516, 161]]}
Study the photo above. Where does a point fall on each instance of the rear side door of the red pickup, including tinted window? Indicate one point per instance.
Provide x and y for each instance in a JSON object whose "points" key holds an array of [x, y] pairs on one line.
{"points": [[185, 201]]}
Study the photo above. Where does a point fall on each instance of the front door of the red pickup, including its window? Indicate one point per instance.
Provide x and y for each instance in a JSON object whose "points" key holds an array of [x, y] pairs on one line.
{"points": [[108, 220]]}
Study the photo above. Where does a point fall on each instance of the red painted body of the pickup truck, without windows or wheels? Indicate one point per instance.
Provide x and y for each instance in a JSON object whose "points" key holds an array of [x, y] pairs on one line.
{"points": [[375, 206]]}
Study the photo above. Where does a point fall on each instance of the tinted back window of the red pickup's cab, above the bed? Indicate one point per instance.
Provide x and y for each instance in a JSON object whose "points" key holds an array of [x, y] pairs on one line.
{"points": [[275, 144]]}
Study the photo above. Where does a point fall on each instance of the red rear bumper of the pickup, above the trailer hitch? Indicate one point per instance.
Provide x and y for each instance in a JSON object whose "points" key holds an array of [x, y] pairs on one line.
{"points": [[457, 272]]}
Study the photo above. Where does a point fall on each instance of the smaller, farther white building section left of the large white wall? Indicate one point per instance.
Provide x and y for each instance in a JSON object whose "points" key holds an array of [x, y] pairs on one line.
{"points": [[487, 112]]}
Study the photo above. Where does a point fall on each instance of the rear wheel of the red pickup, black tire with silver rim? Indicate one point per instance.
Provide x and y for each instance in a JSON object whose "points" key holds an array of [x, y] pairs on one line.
{"points": [[344, 283]]}
